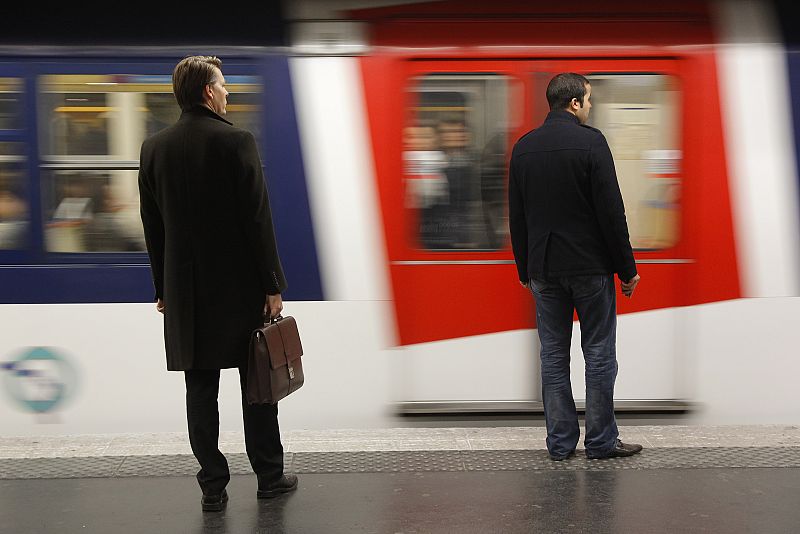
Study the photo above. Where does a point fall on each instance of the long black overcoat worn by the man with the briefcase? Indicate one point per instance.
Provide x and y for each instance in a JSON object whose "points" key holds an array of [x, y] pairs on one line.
{"points": [[209, 233]]}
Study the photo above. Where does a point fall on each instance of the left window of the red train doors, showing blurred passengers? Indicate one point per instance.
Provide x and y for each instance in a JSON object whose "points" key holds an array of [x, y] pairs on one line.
{"points": [[454, 150]]}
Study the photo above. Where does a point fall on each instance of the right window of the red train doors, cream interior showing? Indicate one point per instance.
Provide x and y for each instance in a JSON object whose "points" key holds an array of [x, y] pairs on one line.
{"points": [[640, 116]]}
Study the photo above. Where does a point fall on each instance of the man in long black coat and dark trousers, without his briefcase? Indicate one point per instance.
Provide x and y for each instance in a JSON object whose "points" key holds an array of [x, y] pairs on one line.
{"points": [[215, 265]]}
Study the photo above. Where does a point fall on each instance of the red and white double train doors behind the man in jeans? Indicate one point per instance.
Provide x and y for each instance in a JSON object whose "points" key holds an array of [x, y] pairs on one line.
{"points": [[462, 317]]}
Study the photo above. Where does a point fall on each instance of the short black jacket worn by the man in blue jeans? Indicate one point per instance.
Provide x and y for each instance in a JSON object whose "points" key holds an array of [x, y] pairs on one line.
{"points": [[565, 208]]}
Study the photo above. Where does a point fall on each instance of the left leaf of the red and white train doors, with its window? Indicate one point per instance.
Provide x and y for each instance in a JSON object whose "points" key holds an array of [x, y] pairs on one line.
{"points": [[462, 316]]}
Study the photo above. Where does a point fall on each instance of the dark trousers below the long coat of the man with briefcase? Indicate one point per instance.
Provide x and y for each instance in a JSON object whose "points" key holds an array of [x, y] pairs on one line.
{"points": [[261, 435]]}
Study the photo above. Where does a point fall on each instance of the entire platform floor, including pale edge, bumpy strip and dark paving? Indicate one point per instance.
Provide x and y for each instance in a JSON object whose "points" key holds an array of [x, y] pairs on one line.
{"points": [[415, 480]]}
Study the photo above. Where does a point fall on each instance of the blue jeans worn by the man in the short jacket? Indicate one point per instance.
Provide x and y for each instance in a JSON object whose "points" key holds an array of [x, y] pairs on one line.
{"points": [[594, 298]]}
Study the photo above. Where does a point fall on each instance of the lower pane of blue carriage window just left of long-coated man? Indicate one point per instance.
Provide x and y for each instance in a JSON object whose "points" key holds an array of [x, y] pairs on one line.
{"points": [[92, 211]]}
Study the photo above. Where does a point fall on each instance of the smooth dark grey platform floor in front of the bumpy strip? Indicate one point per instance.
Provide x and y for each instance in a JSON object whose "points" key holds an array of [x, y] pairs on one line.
{"points": [[621, 501]]}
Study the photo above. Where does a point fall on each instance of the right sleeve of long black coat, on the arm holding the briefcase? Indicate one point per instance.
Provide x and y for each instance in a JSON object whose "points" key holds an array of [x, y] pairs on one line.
{"points": [[256, 216]]}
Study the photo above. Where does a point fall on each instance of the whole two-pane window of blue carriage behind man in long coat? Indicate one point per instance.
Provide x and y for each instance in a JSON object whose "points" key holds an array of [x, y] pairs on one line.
{"points": [[92, 130]]}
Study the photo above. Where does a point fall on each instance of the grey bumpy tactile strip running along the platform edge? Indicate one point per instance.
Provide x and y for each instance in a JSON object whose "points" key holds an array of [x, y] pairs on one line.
{"points": [[405, 461]]}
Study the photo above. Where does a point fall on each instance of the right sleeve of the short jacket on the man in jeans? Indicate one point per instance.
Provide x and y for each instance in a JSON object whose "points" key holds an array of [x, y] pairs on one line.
{"points": [[610, 209]]}
